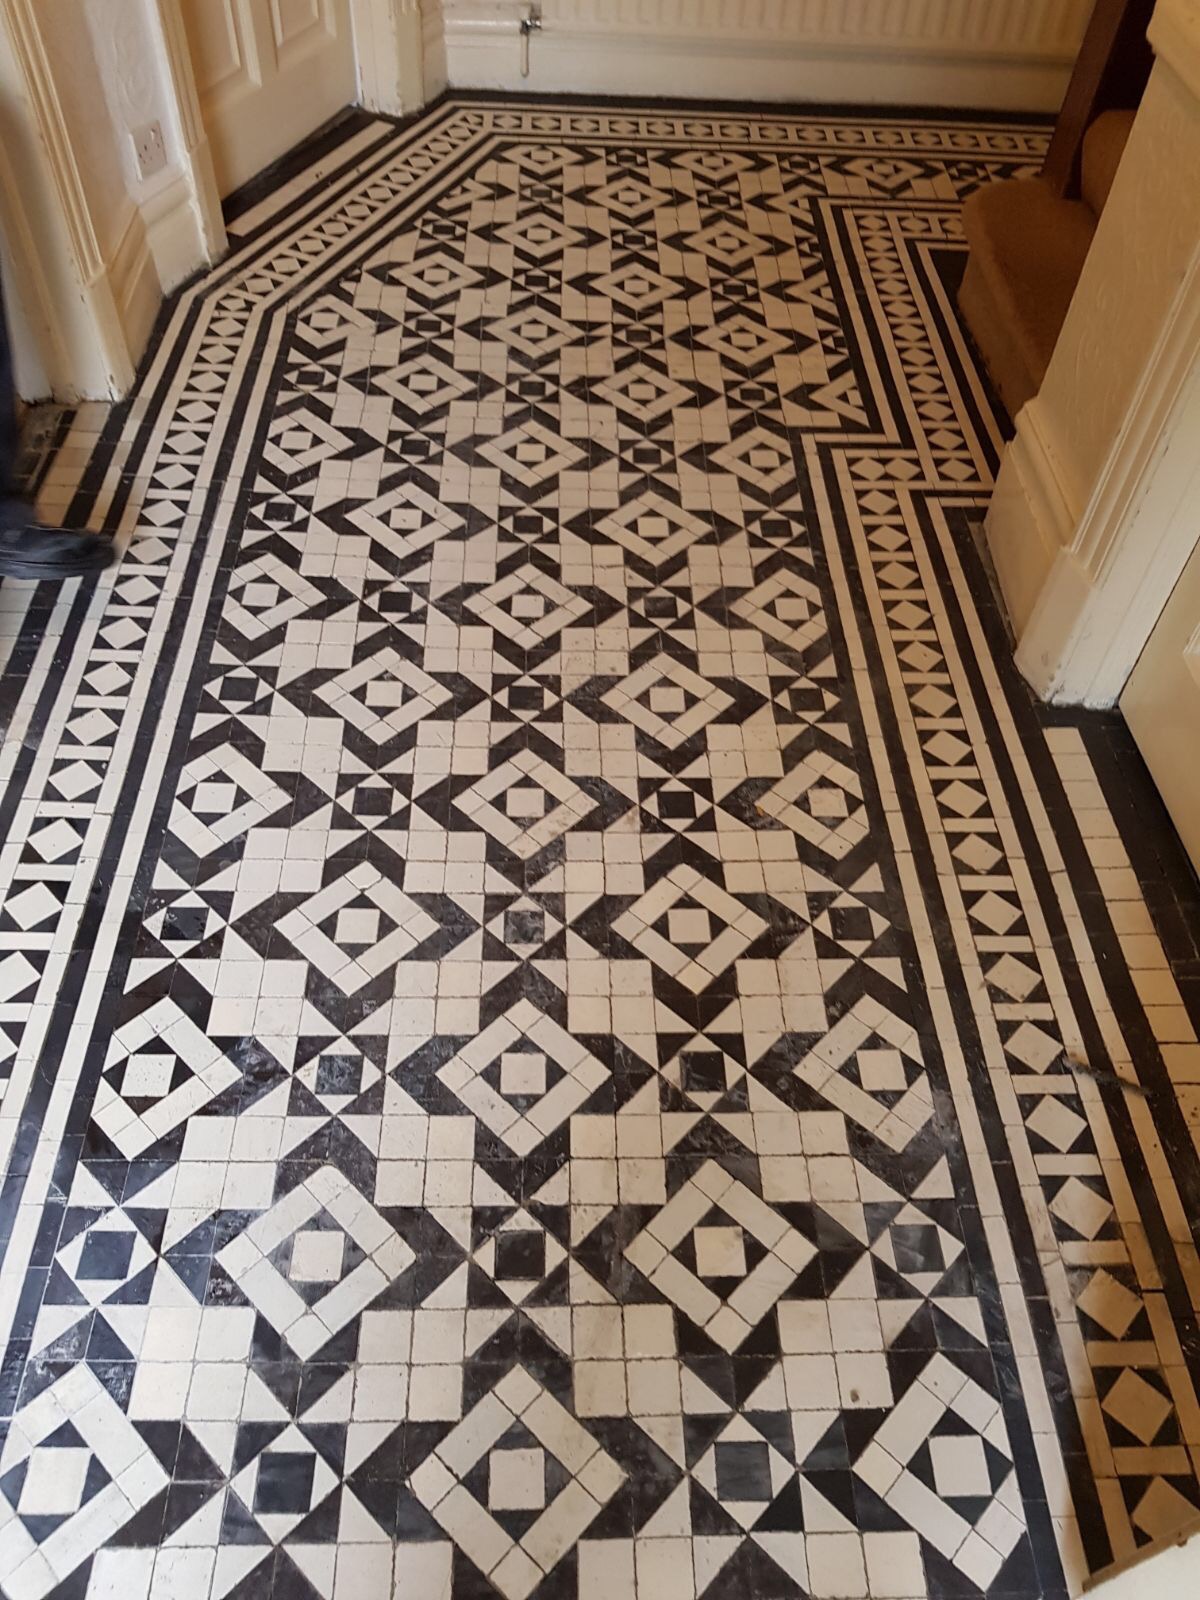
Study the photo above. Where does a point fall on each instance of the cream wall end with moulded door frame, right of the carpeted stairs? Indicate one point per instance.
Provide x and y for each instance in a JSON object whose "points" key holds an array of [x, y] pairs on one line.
{"points": [[1084, 530]]}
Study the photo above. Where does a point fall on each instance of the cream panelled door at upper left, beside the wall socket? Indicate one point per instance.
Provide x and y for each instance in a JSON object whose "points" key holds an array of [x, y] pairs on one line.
{"points": [[270, 73]]}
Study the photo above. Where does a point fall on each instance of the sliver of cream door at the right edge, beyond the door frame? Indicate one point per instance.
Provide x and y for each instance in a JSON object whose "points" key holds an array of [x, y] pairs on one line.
{"points": [[1162, 705]]}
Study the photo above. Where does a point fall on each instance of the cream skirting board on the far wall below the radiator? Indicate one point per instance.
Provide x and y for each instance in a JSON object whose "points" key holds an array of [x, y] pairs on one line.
{"points": [[567, 58]]}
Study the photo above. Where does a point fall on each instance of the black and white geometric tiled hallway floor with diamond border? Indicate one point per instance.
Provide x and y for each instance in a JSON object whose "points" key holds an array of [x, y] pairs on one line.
{"points": [[564, 1014]]}
